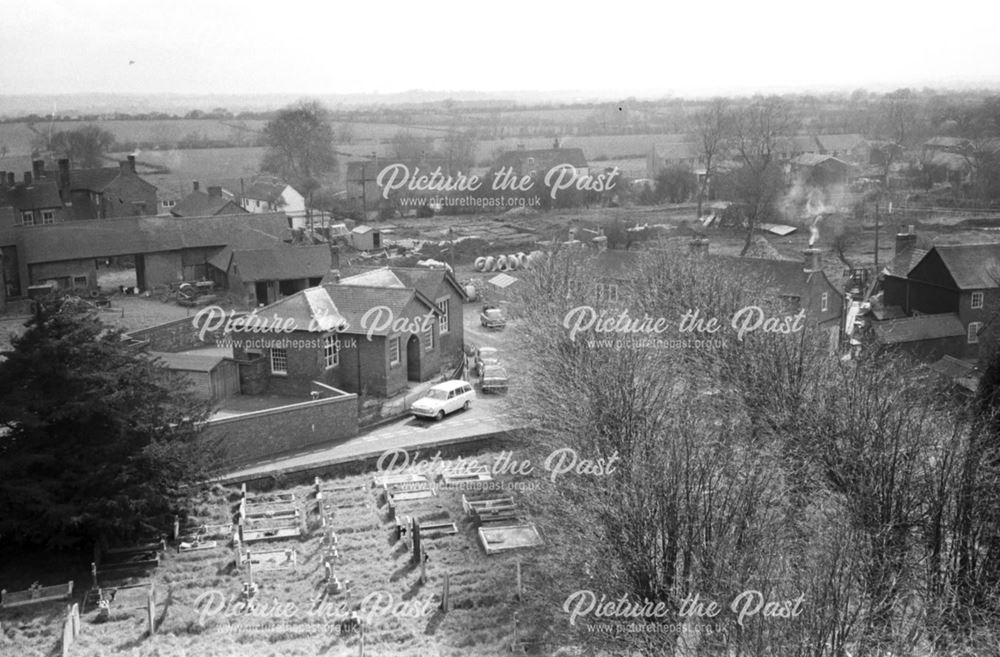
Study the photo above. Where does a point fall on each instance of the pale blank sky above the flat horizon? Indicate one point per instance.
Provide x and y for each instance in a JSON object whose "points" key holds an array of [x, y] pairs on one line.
{"points": [[330, 47]]}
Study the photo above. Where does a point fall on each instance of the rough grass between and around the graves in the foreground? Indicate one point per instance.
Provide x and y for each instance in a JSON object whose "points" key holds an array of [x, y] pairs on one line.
{"points": [[482, 590]]}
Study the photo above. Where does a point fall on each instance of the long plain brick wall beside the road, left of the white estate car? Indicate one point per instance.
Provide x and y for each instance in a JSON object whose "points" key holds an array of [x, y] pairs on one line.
{"points": [[261, 434]]}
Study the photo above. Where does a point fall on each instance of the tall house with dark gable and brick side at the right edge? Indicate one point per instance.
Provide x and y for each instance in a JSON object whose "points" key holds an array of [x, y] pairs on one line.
{"points": [[961, 280]]}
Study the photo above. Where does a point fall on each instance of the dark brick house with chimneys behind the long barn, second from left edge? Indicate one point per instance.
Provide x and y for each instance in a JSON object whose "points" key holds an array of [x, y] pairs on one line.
{"points": [[107, 192]]}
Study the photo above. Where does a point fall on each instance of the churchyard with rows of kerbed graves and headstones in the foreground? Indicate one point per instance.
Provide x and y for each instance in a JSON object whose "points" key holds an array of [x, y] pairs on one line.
{"points": [[372, 564]]}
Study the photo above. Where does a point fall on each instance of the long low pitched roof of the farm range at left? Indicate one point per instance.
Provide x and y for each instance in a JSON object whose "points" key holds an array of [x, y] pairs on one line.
{"points": [[75, 240]]}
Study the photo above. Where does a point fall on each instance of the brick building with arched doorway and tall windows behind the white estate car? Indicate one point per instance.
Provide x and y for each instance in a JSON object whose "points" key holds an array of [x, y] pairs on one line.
{"points": [[370, 340]]}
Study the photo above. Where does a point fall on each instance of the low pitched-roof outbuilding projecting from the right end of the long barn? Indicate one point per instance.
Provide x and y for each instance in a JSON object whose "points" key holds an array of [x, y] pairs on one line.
{"points": [[258, 277]]}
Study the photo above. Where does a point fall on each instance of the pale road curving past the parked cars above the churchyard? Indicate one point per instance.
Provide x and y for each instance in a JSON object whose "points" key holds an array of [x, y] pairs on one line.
{"points": [[485, 418]]}
